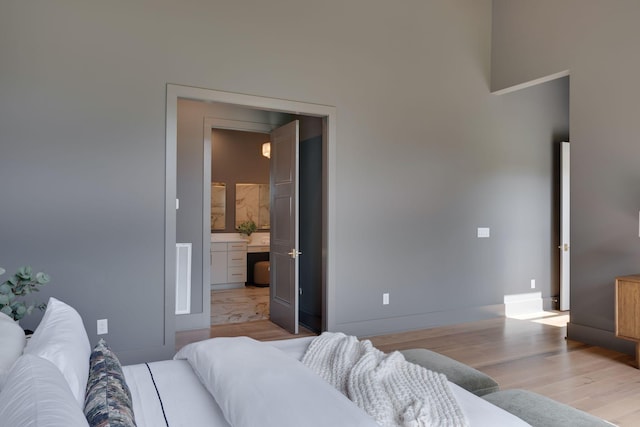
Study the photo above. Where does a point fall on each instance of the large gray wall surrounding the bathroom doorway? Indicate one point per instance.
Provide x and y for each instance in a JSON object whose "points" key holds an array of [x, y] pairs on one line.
{"points": [[425, 154]]}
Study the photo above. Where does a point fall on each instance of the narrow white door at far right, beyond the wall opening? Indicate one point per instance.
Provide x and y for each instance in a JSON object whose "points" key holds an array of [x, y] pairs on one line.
{"points": [[564, 226]]}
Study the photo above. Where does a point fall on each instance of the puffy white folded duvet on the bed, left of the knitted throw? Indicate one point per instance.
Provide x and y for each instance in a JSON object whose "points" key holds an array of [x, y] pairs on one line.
{"points": [[255, 384]]}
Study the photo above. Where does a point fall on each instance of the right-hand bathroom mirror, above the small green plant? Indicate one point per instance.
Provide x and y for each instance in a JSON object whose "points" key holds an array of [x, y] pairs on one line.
{"points": [[252, 203]]}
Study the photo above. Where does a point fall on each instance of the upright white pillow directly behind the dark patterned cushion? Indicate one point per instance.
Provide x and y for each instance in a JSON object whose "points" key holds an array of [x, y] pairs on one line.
{"points": [[61, 338]]}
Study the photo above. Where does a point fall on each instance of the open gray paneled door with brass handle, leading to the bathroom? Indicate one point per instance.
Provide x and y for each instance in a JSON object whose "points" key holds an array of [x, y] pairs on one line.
{"points": [[283, 290]]}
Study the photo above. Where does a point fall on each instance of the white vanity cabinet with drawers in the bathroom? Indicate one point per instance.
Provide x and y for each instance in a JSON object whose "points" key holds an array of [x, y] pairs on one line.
{"points": [[228, 264]]}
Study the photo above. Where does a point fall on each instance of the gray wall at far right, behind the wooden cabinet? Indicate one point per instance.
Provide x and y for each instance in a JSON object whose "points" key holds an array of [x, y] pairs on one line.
{"points": [[597, 42]]}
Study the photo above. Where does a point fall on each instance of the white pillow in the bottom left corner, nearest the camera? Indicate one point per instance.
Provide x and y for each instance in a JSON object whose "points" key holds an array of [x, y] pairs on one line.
{"points": [[37, 395]]}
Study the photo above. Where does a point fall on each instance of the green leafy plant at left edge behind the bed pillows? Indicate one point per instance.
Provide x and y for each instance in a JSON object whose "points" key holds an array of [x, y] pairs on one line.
{"points": [[17, 286]]}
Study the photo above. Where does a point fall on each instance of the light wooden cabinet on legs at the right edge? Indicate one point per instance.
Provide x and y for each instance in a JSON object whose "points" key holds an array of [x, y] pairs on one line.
{"points": [[628, 310]]}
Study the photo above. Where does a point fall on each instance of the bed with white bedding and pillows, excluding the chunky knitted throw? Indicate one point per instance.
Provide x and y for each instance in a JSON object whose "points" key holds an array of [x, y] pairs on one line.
{"points": [[59, 380]]}
